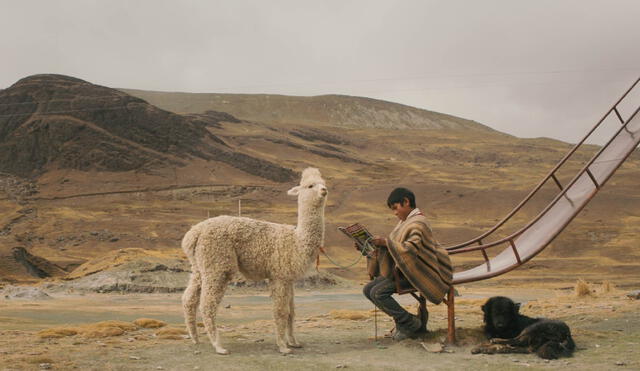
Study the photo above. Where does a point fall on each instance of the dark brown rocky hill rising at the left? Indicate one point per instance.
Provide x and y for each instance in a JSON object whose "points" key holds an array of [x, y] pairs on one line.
{"points": [[64, 122]]}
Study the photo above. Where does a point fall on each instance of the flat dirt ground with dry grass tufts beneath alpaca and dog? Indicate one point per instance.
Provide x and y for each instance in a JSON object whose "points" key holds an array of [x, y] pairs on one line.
{"points": [[336, 326]]}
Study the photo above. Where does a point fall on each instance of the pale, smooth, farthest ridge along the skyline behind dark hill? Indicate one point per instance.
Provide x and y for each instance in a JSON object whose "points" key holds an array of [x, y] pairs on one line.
{"points": [[331, 110]]}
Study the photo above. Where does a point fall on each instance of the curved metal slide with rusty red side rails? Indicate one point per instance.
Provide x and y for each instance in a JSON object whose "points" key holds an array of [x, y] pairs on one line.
{"points": [[528, 241]]}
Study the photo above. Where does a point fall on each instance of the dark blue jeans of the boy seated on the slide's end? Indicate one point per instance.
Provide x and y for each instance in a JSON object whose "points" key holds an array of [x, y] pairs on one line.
{"points": [[379, 292]]}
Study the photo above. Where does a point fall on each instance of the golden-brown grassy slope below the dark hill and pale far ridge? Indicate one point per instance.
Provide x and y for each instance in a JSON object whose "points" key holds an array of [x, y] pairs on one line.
{"points": [[465, 180]]}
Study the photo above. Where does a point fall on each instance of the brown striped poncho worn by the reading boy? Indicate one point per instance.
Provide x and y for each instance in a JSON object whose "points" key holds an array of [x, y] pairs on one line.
{"points": [[413, 250]]}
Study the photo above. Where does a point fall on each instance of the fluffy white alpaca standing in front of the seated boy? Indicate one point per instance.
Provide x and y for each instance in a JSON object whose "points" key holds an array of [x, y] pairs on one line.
{"points": [[219, 247]]}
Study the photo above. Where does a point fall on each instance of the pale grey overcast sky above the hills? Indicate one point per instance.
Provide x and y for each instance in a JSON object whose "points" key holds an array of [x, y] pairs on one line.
{"points": [[528, 68]]}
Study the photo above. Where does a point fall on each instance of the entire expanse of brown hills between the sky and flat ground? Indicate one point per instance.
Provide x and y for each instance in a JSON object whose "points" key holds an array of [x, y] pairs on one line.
{"points": [[107, 170]]}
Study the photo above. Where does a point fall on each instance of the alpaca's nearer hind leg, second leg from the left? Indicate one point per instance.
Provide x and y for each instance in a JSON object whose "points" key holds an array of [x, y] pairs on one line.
{"points": [[213, 286]]}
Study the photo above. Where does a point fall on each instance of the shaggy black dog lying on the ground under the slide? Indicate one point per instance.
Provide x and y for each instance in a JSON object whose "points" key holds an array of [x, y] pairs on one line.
{"points": [[511, 332]]}
